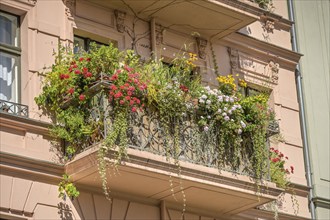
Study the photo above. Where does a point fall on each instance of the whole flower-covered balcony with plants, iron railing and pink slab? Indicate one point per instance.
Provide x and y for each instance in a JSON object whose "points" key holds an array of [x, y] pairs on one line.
{"points": [[188, 145]]}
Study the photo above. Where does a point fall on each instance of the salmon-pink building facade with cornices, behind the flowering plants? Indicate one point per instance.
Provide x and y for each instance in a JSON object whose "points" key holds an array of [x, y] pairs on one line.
{"points": [[241, 37]]}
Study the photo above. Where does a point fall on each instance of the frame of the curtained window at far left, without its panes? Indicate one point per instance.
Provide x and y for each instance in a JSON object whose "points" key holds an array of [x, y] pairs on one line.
{"points": [[17, 52]]}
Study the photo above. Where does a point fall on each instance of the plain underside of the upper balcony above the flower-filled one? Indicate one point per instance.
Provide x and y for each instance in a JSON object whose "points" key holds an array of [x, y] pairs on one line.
{"points": [[209, 18]]}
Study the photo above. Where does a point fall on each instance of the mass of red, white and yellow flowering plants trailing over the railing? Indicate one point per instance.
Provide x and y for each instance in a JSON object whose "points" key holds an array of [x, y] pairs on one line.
{"points": [[92, 96]]}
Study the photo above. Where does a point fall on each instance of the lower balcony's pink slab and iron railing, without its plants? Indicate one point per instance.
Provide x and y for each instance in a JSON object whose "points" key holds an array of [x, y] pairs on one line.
{"points": [[151, 172]]}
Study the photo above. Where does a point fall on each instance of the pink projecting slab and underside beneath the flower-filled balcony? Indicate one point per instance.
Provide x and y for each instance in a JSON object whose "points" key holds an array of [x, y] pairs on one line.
{"points": [[149, 176]]}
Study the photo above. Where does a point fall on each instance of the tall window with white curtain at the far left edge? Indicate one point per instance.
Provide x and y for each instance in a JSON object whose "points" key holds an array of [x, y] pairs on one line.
{"points": [[9, 57]]}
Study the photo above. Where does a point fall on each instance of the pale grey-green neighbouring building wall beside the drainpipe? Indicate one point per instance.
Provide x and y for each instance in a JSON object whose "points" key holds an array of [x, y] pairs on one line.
{"points": [[314, 69]]}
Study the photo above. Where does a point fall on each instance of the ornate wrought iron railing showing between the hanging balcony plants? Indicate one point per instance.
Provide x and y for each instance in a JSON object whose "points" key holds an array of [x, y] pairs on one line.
{"points": [[146, 133]]}
